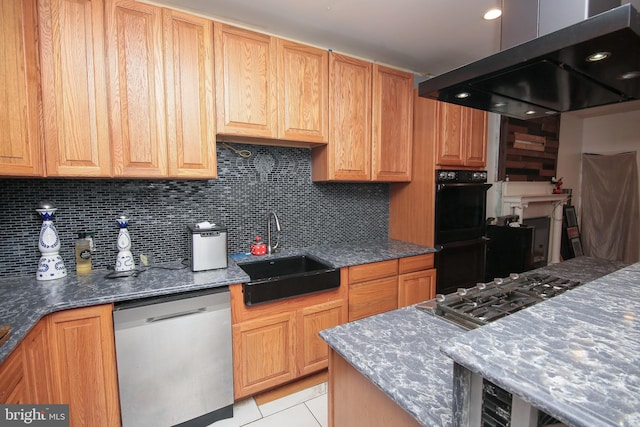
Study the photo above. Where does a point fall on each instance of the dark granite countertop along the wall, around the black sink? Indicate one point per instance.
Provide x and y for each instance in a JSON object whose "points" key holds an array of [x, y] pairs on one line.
{"points": [[24, 300]]}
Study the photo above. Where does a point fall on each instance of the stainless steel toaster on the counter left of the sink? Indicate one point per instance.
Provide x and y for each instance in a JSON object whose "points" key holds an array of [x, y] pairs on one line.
{"points": [[208, 247]]}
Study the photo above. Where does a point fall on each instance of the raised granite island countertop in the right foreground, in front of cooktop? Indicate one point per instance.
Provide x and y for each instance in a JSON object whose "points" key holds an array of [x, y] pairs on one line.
{"points": [[574, 356]]}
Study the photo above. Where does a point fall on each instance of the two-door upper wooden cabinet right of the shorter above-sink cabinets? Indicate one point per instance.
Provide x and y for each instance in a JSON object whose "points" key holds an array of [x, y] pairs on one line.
{"points": [[370, 110]]}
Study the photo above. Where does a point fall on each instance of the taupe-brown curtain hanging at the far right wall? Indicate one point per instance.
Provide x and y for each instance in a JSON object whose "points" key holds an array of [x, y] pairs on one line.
{"points": [[610, 215]]}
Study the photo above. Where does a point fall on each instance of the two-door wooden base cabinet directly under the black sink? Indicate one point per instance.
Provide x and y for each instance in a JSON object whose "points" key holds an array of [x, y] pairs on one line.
{"points": [[277, 342]]}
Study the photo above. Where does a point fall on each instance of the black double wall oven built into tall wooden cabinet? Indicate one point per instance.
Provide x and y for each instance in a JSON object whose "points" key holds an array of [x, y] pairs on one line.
{"points": [[460, 218]]}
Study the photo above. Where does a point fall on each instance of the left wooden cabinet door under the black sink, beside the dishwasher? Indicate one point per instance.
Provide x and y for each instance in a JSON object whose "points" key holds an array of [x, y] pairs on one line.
{"points": [[263, 353]]}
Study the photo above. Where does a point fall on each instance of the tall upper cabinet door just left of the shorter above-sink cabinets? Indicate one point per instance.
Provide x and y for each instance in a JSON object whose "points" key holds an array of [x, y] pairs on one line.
{"points": [[188, 53]]}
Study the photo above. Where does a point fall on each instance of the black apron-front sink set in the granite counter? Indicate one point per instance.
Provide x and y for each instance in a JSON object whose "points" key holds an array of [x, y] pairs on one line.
{"points": [[279, 278]]}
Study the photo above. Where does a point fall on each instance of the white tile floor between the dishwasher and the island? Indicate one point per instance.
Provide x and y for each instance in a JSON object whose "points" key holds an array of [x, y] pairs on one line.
{"points": [[306, 408]]}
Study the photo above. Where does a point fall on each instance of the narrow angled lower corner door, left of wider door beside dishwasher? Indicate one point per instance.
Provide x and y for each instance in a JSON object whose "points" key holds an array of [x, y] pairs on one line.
{"points": [[38, 365]]}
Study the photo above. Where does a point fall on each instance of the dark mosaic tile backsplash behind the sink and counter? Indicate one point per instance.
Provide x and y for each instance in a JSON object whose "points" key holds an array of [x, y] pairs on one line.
{"points": [[273, 178]]}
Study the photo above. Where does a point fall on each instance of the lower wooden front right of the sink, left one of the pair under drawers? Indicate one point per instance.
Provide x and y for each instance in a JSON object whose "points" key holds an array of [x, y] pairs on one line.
{"points": [[373, 297]]}
